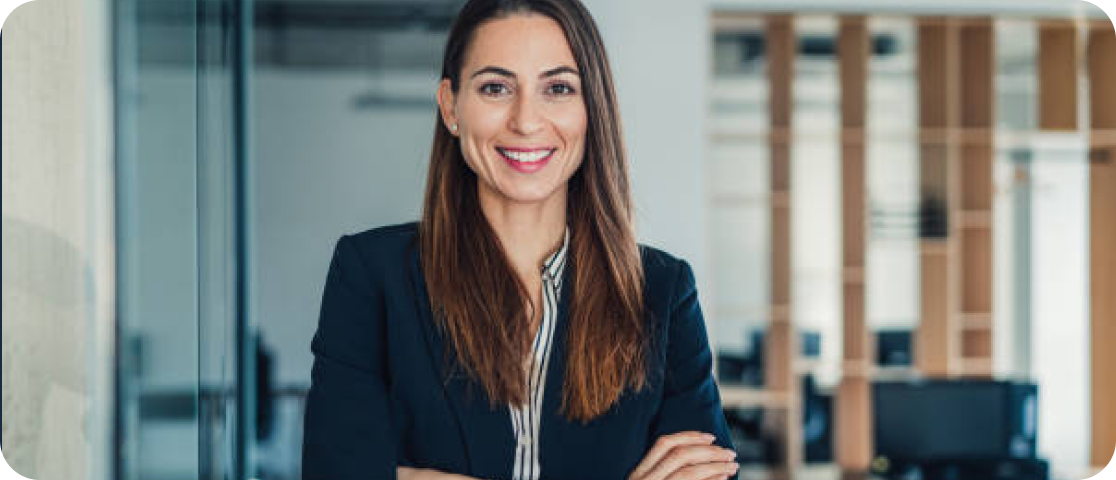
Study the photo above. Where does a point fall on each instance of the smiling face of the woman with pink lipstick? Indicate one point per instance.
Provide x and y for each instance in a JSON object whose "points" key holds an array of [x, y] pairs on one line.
{"points": [[519, 110]]}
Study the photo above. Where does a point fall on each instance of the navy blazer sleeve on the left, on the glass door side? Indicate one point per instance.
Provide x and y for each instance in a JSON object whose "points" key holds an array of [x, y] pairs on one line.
{"points": [[348, 430]]}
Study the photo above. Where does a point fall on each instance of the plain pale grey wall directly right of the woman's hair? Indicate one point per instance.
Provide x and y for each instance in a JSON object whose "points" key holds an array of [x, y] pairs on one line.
{"points": [[661, 82]]}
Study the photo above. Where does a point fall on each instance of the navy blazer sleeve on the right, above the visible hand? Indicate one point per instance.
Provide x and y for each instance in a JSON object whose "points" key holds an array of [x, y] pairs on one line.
{"points": [[691, 399]]}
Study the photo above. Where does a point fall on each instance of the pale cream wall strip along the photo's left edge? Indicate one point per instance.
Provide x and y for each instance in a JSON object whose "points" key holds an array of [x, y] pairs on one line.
{"points": [[57, 274]]}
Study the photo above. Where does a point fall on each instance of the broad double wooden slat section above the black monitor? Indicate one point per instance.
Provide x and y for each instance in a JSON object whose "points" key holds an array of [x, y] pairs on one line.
{"points": [[956, 120]]}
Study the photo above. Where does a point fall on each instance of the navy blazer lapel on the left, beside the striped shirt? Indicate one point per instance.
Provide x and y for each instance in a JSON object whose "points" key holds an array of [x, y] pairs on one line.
{"points": [[486, 434]]}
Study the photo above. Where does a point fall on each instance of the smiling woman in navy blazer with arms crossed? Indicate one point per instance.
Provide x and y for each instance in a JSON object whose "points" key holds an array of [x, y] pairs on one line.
{"points": [[518, 331]]}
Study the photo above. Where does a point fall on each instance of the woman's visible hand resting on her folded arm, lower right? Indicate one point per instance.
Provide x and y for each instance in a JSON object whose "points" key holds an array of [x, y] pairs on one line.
{"points": [[686, 456]]}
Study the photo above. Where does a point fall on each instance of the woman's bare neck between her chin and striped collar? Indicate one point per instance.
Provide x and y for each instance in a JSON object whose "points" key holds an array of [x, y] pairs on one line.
{"points": [[530, 233]]}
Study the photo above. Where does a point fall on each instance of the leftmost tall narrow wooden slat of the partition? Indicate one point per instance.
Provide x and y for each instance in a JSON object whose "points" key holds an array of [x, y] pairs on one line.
{"points": [[782, 340]]}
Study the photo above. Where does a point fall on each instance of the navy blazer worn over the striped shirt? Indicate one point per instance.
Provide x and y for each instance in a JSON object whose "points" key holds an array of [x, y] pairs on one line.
{"points": [[378, 399]]}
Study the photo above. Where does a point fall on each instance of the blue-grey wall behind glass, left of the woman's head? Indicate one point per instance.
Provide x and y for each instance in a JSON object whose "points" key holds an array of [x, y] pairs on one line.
{"points": [[324, 168]]}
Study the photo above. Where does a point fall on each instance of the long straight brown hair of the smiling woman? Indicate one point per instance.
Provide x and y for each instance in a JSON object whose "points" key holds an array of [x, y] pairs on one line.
{"points": [[478, 300]]}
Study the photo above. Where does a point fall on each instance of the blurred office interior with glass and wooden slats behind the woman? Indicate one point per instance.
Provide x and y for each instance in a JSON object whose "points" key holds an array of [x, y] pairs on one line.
{"points": [[902, 217]]}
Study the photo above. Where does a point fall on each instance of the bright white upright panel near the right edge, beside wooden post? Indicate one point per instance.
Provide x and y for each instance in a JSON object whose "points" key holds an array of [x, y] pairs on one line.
{"points": [[1061, 320]]}
